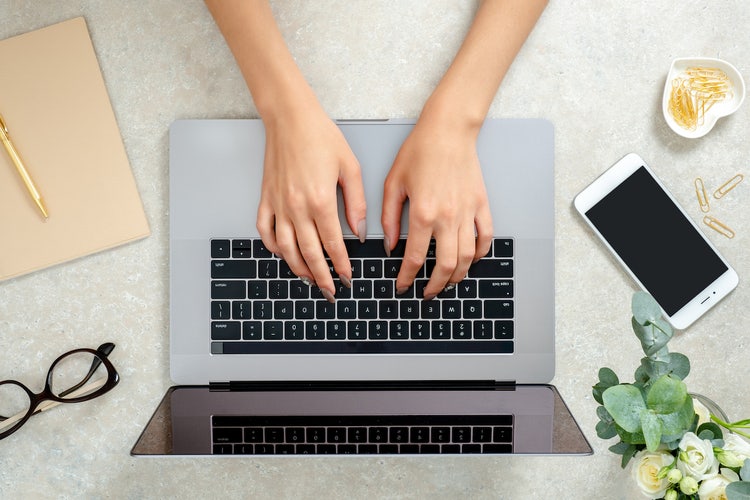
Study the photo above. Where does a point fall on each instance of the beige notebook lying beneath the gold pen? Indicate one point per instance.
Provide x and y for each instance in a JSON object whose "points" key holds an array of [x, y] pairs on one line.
{"points": [[59, 118]]}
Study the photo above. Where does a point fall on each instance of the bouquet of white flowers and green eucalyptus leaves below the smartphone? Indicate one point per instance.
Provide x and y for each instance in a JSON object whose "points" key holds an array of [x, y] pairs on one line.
{"points": [[675, 445]]}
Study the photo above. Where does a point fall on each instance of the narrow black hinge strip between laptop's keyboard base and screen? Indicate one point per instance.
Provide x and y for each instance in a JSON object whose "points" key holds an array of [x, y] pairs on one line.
{"points": [[378, 385]]}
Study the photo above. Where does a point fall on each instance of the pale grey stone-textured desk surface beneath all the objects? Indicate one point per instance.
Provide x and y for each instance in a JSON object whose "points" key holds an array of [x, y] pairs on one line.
{"points": [[595, 68]]}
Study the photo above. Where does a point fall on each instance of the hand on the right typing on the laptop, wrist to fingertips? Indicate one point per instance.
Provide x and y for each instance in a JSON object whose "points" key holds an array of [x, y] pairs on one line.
{"points": [[438, 170]]}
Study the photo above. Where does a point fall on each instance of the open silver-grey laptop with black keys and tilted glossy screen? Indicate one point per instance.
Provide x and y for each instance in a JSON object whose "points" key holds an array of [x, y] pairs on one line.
{"points": [[264, 365]]}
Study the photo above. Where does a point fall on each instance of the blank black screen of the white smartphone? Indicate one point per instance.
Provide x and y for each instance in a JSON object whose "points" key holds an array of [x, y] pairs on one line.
{"points": [[655, 240]]}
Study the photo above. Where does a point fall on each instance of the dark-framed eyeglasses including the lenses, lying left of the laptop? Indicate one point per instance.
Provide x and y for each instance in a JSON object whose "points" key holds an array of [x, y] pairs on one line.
{"points": [[76, 376]]}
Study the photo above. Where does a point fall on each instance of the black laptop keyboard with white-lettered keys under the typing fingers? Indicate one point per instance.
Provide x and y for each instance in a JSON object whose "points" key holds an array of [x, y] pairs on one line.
{"points": [[258, 306]]}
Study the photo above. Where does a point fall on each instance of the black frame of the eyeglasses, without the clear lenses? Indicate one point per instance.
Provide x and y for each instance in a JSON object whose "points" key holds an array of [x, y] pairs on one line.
{"points": [[36, 399]]}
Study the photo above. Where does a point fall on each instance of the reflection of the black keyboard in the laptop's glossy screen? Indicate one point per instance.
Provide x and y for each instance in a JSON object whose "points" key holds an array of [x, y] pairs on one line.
{"points": [[362, 435]]}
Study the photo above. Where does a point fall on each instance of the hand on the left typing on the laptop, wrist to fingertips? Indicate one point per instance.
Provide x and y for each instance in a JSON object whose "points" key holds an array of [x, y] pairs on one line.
{"points": [[306, 158]]}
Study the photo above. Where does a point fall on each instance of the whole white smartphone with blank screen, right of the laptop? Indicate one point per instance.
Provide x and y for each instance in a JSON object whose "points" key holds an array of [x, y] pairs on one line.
{"points": [[656, 242]]}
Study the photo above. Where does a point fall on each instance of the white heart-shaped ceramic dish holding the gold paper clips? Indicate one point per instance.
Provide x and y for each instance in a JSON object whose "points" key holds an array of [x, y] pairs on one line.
{"points": [[723, 108]]}
